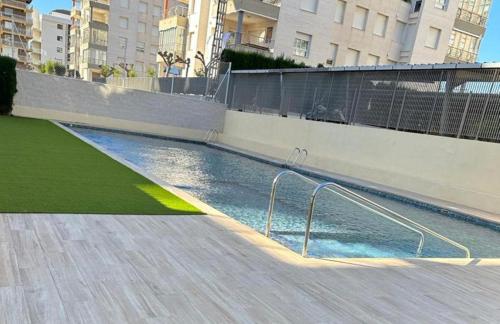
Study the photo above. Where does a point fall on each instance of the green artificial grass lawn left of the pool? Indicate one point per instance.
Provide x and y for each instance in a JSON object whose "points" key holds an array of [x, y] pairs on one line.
{"points": [[44, 169]]}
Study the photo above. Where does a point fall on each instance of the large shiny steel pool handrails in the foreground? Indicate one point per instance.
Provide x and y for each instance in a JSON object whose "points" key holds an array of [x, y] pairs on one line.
{"points": [[365, 203]]}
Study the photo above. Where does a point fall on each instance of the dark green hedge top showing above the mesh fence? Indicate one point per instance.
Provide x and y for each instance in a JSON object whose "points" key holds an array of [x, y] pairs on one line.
{"points": [[256, 61]]}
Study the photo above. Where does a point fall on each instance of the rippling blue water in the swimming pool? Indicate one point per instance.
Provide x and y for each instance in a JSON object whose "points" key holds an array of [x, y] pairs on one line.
{"points": [[240, 187]]}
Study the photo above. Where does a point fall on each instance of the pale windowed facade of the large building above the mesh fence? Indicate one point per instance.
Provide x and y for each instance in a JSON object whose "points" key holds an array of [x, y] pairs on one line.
{"points": [[381, 32]]}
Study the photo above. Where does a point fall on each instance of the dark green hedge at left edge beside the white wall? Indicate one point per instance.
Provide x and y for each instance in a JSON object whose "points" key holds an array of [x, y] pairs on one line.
{"points": [[8, 84]]}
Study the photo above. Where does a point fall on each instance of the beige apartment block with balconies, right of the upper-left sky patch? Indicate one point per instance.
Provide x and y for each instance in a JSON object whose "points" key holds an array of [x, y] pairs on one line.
{"points": [[116, 33]]}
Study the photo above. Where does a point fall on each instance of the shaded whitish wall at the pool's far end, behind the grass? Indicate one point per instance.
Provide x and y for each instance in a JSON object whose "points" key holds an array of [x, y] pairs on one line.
{"points": [[65, 99]]}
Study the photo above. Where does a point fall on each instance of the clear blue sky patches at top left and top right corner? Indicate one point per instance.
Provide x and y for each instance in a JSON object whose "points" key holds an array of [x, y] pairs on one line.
{"points": [[489, 51]]}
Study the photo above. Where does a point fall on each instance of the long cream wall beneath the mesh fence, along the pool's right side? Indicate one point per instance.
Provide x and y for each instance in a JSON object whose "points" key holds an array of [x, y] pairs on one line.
{"points": [[462, 172]]}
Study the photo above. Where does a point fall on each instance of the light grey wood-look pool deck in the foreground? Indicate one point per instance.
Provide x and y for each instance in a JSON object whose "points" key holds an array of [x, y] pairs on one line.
{"points": [[190, 269]]}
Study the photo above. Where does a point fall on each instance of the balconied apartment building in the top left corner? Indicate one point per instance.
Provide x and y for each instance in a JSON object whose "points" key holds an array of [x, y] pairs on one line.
{"points": [[15, 29]]}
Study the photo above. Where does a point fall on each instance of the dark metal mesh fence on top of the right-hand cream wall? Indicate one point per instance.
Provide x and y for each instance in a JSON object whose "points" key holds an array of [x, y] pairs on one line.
{"points": [[457, 102]]}
